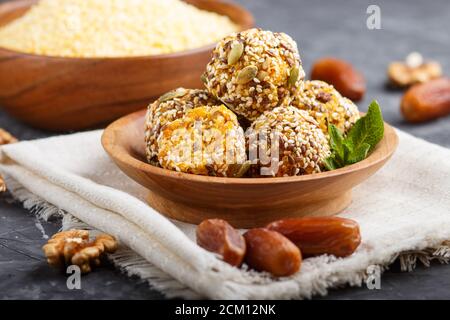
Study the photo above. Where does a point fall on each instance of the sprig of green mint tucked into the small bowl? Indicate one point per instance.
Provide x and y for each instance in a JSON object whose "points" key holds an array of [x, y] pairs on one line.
{"points": [[359, 141]]}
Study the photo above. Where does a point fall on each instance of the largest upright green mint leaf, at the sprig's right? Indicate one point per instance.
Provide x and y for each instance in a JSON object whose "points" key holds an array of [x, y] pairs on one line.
{"points": [[368, 129]]}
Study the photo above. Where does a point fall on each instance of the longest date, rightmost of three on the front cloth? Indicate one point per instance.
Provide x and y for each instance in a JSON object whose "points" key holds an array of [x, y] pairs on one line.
{"points": [[320, 235]]}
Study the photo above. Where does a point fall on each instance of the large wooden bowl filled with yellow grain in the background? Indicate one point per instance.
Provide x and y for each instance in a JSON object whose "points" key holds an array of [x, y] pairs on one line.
{"points": [[62, 94]]}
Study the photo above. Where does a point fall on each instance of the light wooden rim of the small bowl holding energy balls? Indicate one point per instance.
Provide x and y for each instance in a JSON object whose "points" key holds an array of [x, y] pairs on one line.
{"points": [[119, 154]]}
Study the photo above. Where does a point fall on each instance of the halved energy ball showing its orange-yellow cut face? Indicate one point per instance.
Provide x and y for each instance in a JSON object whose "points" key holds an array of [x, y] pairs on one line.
{"points": [[206, 141]]}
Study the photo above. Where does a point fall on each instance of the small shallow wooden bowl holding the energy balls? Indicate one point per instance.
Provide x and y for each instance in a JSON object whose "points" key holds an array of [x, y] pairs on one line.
{"points": [[244, 202]]}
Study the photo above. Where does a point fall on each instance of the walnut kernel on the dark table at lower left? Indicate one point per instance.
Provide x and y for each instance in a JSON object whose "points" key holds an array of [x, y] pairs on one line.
{"points": [[74, 247]]}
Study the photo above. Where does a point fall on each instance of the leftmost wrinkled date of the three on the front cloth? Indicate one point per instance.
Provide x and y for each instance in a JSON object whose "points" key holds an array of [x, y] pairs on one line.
{"points": [[219, 236]]}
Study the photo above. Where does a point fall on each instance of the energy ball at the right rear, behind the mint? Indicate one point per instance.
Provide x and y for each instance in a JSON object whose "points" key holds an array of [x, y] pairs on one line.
{"points": [[326, 105]]}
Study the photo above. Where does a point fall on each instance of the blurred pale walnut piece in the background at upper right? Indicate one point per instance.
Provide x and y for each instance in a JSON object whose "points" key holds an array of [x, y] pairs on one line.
{"points": [[413, 70]]}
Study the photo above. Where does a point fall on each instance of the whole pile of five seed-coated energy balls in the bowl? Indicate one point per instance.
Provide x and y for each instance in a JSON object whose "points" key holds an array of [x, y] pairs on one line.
{"points": [[254, 81]]}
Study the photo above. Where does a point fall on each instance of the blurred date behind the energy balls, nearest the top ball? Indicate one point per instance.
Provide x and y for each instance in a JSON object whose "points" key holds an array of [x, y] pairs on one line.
{"points": [[345, 79]]}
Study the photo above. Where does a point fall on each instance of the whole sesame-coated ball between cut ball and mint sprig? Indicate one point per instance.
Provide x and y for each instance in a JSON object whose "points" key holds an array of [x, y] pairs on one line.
{"points": [[289, 140]]}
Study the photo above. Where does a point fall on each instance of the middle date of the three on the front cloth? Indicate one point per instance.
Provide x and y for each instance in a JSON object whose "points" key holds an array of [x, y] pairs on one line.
{"points": [[272, 252]]}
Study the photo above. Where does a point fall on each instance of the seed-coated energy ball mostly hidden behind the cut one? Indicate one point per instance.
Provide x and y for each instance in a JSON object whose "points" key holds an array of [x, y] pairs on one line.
{"points": [[169, 107]]}
